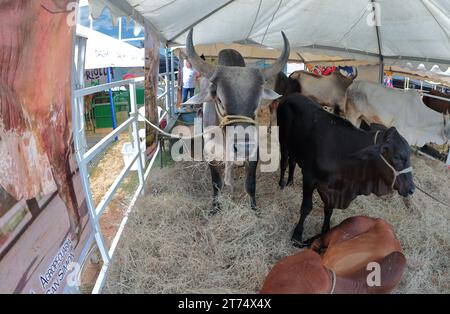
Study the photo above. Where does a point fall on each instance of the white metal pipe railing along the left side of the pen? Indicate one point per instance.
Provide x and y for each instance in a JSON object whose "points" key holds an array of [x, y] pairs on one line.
{"points": [[84, 157]]}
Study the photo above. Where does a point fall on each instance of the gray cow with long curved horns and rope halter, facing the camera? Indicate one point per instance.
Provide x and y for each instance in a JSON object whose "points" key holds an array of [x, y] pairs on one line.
{"points": [[234, 91]]}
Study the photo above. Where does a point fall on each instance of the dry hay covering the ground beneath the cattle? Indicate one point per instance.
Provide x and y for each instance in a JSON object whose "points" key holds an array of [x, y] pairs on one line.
{"points": [[172, 245]]}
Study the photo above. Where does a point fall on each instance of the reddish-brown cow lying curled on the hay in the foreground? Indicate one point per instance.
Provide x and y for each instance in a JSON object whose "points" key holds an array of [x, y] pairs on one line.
{"points": [[340, 262]]}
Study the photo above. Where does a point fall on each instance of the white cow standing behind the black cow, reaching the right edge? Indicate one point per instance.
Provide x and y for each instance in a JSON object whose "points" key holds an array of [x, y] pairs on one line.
{"points": [[404, 110]]}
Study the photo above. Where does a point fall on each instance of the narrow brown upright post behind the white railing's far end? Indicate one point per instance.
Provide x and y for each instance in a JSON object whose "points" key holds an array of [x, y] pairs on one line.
{"points": [[151, 88]]}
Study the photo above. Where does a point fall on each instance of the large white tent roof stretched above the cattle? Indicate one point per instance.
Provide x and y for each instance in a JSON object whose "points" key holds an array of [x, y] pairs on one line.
{"points": [[402, 31]]}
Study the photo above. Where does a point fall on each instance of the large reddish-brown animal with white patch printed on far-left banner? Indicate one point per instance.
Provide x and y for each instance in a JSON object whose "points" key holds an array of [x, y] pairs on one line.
{"points": [[35, 97]]}
